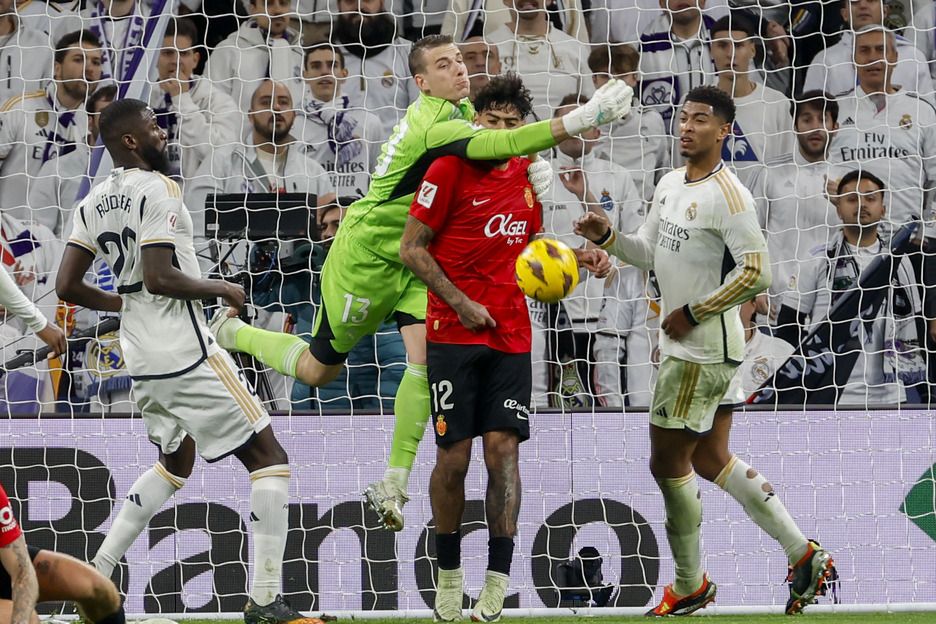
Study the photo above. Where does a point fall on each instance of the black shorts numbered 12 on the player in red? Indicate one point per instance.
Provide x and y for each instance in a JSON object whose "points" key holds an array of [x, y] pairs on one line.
{"points": [[475, 389]]}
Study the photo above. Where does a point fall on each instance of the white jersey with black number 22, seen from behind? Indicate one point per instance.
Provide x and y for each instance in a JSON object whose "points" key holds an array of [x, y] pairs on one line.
{"points": [[131, 210]]}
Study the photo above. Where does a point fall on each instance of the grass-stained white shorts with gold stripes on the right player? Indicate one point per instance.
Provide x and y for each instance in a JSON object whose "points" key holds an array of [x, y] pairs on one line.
{"points": [[687, 394]]}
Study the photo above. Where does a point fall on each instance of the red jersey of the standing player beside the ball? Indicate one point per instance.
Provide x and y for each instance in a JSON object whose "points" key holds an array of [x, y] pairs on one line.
{"points": [[482, 218]]}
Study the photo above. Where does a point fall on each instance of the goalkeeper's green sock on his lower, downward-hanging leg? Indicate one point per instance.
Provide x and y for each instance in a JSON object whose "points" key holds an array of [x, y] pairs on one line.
{"points": [[411, 408]]}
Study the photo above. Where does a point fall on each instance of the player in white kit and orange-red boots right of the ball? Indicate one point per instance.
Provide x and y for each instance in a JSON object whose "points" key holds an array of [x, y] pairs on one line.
{"points": [[702, 217]]}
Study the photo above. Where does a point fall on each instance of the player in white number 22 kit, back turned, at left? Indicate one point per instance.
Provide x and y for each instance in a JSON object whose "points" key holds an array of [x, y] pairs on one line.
{"points": [[191, 394]]}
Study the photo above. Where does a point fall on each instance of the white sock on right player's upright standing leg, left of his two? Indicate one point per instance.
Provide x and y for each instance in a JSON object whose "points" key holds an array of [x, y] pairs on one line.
{"points": [[683, 525]]}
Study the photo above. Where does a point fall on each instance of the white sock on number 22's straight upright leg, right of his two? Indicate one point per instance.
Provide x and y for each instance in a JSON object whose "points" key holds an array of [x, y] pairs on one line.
{"points": [[269, 517]]}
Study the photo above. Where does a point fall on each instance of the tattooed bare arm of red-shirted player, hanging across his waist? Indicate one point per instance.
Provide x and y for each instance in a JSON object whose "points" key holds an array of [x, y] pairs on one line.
{"points": [[414, 252]]}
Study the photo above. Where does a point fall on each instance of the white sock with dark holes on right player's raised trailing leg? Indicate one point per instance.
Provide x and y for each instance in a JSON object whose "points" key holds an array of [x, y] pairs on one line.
{"points": [[756, 495]]}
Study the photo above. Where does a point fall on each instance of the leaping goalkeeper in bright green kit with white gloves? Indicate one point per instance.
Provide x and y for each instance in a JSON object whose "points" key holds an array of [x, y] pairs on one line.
{"points": [[363, 280]]}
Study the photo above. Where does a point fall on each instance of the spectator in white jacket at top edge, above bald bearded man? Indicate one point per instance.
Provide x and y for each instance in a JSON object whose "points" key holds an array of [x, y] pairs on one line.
{"points": [[264, 47]]}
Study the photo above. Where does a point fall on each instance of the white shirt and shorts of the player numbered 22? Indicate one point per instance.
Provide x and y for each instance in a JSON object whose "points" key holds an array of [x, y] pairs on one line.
{"points": [[184, 383]]}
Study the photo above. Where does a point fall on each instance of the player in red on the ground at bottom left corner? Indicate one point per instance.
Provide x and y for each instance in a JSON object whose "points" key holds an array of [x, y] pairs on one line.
{"points": [[29, 575]]}
